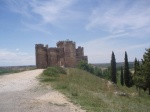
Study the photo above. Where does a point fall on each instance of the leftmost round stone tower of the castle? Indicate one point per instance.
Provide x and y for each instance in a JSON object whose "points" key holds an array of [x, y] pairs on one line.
{"points": [[41, 55]]}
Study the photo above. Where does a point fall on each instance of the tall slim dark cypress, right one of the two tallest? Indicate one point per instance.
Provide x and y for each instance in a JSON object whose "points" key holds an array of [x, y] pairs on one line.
{"points": [[126, 71]]}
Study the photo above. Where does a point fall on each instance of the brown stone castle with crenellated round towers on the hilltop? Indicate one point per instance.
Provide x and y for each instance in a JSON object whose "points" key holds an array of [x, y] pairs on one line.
{"points": [[65, 54]]}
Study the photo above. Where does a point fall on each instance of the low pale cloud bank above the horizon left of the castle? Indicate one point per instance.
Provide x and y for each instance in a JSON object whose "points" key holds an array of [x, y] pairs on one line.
{"points": [[9, 58]]}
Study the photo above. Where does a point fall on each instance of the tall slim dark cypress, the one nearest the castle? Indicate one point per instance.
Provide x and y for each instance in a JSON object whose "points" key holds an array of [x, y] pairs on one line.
{"points": [[113, 68]]}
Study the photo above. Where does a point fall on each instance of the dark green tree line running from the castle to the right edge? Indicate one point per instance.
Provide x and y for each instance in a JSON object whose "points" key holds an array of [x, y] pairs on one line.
{"points": [[140, 78]]}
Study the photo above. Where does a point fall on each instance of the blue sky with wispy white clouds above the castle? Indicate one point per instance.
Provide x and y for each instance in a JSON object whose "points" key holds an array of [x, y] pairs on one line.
{"points": [[100, 26]]}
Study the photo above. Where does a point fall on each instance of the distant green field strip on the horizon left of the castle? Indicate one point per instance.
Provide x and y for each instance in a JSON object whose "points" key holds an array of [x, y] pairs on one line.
{"points": [[14, 69]]}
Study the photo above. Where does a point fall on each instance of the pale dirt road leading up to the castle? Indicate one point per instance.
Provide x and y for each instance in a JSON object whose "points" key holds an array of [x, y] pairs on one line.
{"points": [[21, 92]]}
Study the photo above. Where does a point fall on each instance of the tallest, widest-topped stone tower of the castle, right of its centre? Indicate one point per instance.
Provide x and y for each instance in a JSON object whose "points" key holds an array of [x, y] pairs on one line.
{"points": [[69, 52]]}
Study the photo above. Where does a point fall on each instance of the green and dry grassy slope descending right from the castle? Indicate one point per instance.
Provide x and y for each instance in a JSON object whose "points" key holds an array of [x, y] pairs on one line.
{"points": [[97, 95]]}
